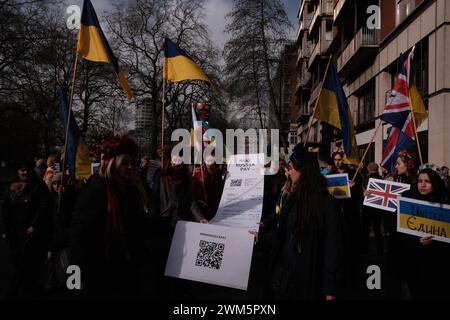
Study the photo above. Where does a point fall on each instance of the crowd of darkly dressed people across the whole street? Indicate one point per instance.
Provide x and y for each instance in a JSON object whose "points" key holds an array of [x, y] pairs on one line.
{"points": [[118, 225]]}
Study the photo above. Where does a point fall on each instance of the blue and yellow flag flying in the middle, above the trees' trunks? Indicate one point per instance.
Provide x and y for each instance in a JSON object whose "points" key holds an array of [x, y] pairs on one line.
{"points": [[178, 66]]}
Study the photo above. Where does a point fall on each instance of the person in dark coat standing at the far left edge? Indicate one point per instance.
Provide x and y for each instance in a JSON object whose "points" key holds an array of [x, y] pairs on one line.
{"points": [[26, 225]]}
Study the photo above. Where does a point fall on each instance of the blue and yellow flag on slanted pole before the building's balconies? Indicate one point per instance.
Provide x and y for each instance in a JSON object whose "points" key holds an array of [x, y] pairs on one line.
{"points": [[332, 108]]}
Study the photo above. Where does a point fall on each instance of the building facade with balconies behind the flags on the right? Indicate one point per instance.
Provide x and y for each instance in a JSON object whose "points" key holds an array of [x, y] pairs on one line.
{"points": [[366, 52]]}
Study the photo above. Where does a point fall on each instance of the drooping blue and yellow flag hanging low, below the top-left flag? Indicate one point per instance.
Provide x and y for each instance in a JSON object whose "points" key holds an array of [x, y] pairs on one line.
{"points": [[77, 152]]}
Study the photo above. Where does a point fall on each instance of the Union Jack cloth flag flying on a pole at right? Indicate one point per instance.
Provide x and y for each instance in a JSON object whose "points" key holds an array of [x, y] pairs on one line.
{"points": [[397, 112]]}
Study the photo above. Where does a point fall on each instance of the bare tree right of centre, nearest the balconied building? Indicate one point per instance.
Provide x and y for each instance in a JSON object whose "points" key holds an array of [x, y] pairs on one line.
{"points": [[258, 30]]}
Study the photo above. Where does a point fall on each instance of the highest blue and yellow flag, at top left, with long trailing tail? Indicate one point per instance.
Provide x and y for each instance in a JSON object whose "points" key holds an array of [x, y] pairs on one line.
{"points": [[93, 46]]}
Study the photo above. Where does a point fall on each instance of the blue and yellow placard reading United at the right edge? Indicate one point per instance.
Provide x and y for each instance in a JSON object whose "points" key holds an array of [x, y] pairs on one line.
{"points": [[421, 218]]}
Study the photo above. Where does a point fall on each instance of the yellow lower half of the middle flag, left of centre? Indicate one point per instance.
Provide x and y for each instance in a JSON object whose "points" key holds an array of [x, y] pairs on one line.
{"points": [[182, 68]]}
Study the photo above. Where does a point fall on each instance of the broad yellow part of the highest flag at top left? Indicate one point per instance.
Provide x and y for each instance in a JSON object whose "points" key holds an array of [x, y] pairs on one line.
{"points": [[90, 44]]}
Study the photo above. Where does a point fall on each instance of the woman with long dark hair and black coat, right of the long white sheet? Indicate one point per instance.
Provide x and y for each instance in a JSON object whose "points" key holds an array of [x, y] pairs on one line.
{"points": [[307, 244]]}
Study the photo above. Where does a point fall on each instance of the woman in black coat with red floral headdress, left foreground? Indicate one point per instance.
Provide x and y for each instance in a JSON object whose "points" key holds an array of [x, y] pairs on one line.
{"points": [[107, 232]]}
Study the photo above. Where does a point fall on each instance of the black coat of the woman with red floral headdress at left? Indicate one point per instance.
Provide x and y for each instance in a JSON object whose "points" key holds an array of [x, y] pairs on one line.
{"points": [[107, 272]]}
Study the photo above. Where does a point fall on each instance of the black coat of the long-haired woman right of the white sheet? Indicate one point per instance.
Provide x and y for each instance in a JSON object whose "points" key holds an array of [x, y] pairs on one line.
{"points": [[310, 268]]}
